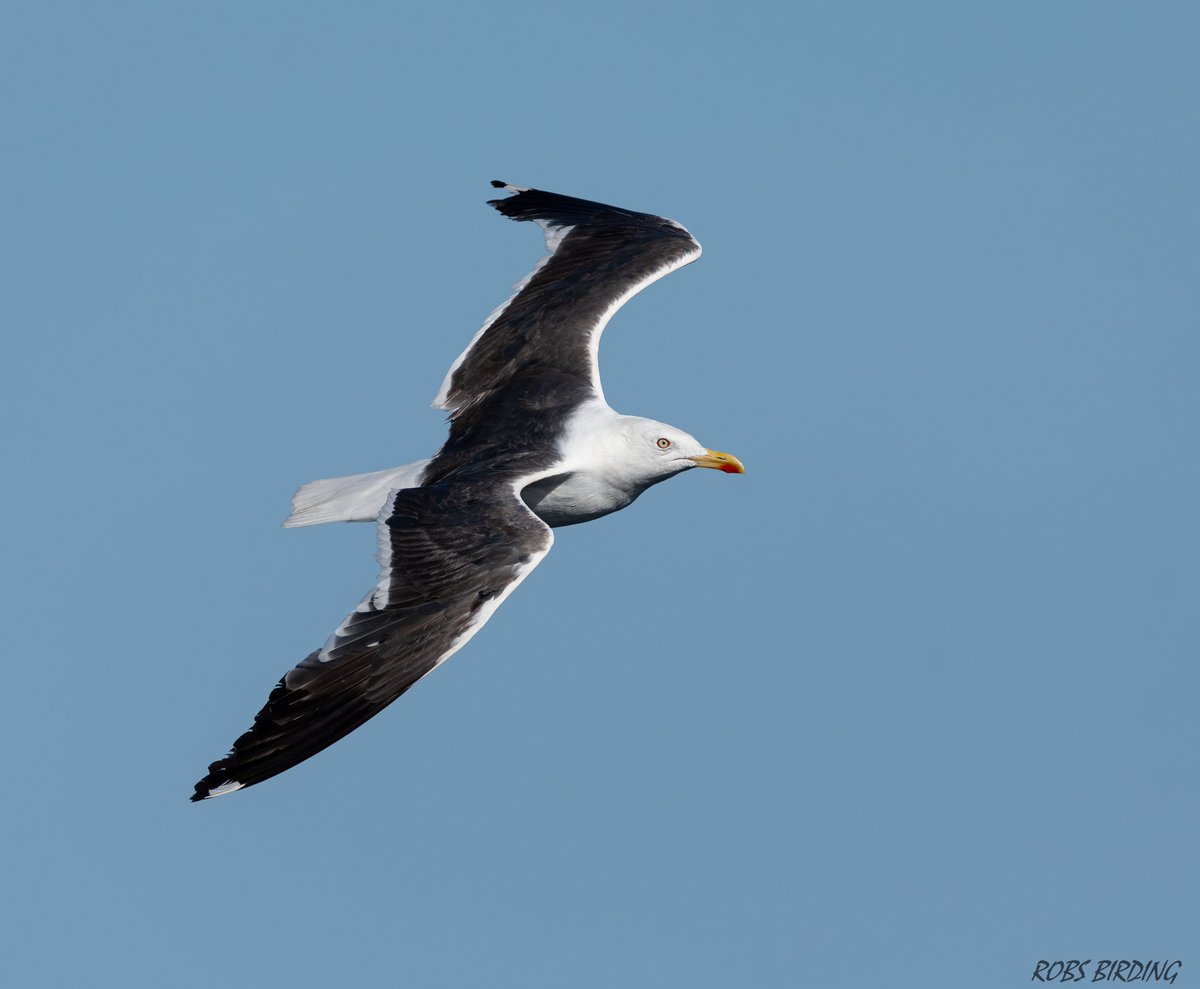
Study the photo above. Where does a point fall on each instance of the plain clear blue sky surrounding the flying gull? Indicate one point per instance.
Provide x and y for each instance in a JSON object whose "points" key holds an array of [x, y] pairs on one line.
{"points": [[914, 703]]}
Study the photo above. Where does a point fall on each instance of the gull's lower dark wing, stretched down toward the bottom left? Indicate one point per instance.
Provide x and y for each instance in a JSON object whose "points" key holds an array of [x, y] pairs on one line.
{"points": [[449, 554]]}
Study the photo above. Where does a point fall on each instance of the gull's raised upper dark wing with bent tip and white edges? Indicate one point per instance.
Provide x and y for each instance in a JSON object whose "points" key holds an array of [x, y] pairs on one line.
{"points": [[599, 259]]}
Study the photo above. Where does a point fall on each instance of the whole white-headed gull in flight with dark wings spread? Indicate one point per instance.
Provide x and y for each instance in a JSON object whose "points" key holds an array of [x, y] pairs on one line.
{"points": [[533, 446]]}
